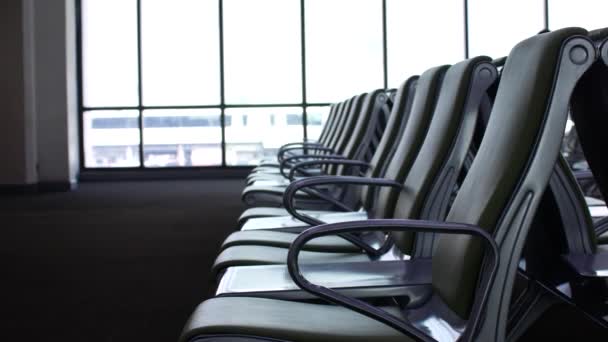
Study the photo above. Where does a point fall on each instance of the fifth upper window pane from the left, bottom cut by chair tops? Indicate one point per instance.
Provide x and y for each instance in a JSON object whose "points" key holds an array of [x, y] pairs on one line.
{"points": [[411, 54]]}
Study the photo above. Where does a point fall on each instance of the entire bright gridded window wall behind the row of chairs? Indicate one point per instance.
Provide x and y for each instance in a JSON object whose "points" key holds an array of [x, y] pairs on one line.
{"points": [[226, 82]]}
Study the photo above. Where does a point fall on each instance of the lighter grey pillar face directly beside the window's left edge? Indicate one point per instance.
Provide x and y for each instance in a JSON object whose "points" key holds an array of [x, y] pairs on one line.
{"points": [[56, 95]]}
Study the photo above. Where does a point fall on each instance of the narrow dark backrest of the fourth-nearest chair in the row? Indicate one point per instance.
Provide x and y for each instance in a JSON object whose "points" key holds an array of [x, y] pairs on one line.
{"points": [[398, 118]]}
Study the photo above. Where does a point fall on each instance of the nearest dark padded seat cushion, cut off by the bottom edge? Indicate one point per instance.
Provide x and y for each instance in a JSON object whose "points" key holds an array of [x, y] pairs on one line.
{"points": [[284, 320]]}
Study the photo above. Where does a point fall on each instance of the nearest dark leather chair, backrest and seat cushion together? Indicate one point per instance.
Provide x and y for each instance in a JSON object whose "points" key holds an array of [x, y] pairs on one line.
{"points": [[500, 193]]}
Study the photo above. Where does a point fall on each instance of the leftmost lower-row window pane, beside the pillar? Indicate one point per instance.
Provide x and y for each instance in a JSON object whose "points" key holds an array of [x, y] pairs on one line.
{"points": [[111, 138]]}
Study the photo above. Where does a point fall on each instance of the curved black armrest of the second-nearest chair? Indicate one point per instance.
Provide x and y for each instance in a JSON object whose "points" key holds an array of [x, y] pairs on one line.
{"points": [[293, 188]]}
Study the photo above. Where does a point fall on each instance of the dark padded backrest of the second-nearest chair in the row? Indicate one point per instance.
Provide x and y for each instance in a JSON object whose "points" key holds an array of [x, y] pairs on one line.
{"points": [[447, 141]]}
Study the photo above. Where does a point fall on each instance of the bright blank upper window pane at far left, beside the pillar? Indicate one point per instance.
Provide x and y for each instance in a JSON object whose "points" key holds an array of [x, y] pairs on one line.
{"points": [[109, 53]]}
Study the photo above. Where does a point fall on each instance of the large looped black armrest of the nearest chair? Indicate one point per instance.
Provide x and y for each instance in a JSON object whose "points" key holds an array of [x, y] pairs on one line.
{"points": [[393, 225]]}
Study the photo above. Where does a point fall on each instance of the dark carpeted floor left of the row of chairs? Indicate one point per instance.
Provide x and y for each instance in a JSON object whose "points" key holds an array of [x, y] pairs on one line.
{"points": [[121, 261]]}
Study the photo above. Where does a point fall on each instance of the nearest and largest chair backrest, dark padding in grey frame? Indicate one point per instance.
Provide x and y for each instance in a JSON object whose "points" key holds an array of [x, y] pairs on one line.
{"points": [[510, 172]]}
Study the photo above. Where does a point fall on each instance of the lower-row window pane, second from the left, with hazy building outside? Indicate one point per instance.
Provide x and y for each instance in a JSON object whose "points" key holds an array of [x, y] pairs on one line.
{"points": [[182, 137]]}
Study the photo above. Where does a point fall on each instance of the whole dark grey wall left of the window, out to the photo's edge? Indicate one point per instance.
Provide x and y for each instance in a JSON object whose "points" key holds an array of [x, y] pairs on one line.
{"points": [[38, 101]]}
